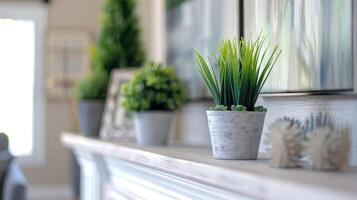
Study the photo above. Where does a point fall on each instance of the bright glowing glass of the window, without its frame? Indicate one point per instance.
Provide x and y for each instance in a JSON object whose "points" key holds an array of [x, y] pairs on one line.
{"points": [[17, 71]]}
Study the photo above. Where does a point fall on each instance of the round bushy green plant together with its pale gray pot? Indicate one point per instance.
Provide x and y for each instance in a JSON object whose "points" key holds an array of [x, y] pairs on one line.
{"points": [[153, 94]]}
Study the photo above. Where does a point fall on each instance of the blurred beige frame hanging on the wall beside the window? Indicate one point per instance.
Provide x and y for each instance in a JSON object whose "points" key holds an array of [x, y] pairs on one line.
{"points": [[67, 61]]}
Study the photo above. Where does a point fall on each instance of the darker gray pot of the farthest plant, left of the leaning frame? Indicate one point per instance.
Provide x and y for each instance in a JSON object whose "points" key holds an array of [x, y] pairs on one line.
{"points": [[90, 117]]}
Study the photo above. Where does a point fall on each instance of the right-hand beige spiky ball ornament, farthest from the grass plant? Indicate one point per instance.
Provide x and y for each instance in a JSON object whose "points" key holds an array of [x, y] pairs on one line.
{"points": [[328, 148]]}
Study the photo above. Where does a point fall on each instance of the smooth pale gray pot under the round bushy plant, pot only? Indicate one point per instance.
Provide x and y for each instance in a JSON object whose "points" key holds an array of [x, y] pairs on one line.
{"points": [[153, 127]]}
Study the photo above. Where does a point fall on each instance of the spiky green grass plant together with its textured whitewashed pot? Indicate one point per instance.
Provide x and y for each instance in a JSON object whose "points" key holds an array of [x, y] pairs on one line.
{"points": [[235, 123]]}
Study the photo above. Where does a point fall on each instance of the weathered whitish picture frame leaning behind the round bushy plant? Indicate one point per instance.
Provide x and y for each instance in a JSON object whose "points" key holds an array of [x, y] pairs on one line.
{"points": [[117, 123]]}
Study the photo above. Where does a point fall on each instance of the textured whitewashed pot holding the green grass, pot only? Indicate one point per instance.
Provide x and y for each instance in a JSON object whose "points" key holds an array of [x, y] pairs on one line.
{"points": [[235, 135]]}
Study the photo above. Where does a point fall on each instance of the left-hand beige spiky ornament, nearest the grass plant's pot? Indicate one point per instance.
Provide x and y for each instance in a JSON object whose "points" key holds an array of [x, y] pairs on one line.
{"points": [[285, 141]]}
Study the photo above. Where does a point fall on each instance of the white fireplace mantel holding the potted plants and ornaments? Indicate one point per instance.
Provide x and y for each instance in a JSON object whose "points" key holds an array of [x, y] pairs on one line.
{"points": [[128, 171]]}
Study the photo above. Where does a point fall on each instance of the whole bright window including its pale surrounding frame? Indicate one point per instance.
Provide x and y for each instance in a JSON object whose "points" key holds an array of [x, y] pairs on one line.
{"points": [[21, 95]]}
